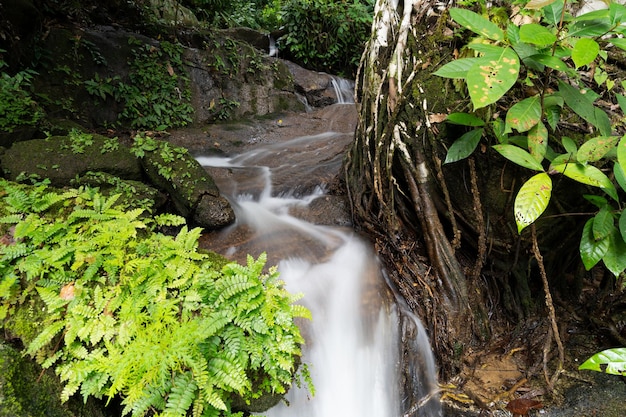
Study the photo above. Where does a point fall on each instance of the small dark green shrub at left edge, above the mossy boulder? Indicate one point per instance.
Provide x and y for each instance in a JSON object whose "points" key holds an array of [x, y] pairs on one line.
{"points": [[17, 107]]}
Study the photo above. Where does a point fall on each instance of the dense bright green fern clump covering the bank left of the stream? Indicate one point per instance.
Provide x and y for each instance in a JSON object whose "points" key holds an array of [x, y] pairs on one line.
{"points": [[119, 308]]}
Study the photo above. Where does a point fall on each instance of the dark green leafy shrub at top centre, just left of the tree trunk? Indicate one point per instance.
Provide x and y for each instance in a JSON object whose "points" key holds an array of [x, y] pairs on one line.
{"points": [[325, 35]]}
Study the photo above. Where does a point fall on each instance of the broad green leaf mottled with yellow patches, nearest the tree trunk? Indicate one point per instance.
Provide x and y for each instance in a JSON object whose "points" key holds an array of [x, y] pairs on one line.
{"points": [[492, 76]]}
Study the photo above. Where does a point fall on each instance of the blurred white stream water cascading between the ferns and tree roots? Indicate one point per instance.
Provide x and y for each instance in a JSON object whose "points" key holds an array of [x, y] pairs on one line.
{"points": [[353, 341]]}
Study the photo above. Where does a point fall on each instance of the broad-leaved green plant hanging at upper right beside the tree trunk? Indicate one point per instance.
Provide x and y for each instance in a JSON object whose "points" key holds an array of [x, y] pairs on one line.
{"points": [[546, 54]]}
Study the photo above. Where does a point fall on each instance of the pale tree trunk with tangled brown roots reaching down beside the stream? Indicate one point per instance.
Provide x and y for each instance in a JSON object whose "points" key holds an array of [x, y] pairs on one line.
{"points": [[391, 183]]}
